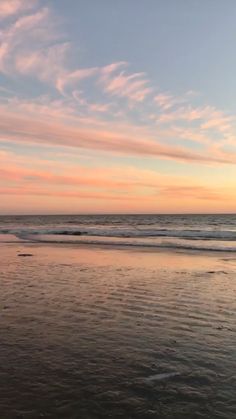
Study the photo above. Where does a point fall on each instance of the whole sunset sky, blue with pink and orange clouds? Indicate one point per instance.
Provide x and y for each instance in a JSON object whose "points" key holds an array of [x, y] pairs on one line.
{"points": [[117, 106]]}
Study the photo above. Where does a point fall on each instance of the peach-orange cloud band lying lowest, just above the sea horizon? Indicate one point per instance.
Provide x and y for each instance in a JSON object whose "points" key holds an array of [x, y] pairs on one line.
{"points": [[80, 182]]}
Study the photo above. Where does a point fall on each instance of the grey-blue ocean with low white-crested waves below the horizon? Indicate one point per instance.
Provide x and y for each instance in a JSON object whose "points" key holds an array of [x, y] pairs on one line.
{"points": [[180, 232]]}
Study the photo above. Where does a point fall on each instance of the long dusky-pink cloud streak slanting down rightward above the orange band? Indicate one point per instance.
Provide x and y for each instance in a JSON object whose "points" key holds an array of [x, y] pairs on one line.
{"points": [[19, 129]]}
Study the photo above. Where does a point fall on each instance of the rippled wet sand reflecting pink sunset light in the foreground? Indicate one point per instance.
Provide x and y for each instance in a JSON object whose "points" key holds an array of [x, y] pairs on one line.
{"points": [[110, 333]]}
